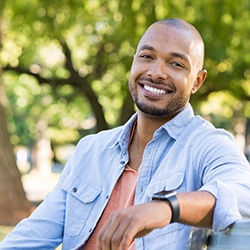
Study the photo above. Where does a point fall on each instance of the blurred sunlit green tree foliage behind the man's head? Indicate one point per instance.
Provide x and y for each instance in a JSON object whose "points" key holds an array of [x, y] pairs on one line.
{"points": [[101, 37]]}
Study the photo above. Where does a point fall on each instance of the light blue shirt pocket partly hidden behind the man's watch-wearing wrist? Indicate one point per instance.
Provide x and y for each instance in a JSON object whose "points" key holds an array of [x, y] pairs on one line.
{"points": [[174, 181]]}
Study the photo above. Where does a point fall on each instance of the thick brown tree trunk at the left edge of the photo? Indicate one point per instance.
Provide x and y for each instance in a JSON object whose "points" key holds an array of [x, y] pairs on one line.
{"points": [[14, 205]]}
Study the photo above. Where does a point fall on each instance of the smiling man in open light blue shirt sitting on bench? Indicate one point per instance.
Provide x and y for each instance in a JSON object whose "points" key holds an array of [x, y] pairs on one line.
{"points": [[108, 195]]}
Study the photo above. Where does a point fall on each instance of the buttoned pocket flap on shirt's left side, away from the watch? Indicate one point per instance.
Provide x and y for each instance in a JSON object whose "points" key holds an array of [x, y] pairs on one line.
{"points": [[83, 190]]}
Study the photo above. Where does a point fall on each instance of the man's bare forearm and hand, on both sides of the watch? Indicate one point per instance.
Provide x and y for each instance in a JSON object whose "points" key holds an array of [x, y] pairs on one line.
{"points": [[196, 209]]}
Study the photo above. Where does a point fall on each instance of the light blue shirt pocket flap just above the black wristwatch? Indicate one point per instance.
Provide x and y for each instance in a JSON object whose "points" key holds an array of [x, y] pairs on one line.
{"points": [[172, 182]]}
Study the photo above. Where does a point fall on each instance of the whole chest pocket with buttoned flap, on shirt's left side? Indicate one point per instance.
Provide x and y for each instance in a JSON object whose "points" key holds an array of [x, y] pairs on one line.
{"points": [[81, 196]]}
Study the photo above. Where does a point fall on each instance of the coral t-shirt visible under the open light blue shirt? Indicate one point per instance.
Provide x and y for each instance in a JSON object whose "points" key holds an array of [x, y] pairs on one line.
{"points": [[122, 196]]}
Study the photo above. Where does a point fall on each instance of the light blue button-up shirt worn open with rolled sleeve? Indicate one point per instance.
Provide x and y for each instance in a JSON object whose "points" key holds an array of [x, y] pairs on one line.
{"points": [[186, 154]]}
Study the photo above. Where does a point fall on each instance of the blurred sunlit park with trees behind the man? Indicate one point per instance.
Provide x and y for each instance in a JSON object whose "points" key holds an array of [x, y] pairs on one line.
{"points": [[64, 67]]}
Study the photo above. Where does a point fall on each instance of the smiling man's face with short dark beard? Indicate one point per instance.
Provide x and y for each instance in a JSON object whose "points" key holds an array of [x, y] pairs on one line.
{"points": [[164, 71]]}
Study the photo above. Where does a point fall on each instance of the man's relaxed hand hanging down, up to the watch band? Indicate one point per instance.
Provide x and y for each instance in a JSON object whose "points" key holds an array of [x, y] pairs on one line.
{"points": [[136, 221]]}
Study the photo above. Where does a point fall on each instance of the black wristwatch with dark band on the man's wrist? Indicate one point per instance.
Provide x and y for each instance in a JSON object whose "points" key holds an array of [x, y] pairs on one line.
{"points": [[170, 197]]}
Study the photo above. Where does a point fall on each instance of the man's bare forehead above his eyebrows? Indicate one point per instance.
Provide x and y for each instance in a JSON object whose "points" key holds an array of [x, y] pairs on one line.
{"points": [[166, 38]]}
